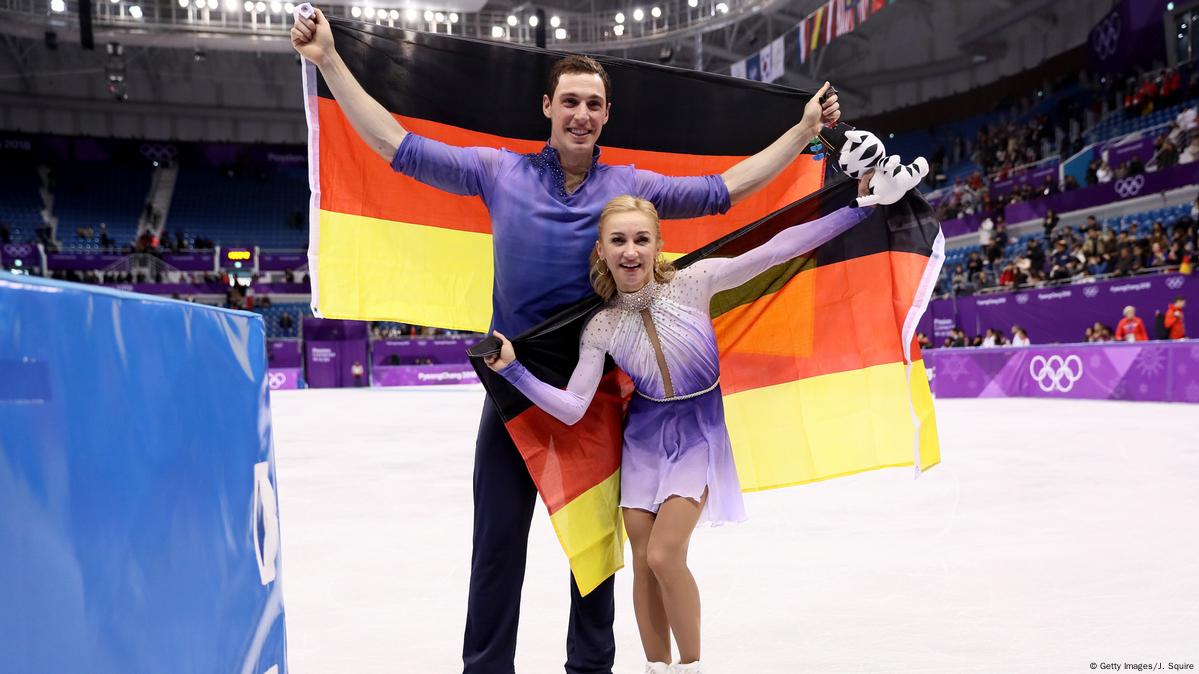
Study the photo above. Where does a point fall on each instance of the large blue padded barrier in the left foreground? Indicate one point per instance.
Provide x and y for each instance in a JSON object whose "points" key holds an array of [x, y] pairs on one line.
{"points": [[138, 527]]}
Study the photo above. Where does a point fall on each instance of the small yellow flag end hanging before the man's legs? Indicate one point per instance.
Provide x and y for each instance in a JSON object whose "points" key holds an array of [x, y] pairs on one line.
{"points": [[593, 533]]}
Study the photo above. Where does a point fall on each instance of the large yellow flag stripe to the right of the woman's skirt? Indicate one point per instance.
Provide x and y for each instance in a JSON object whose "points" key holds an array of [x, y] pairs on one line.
{"points": [[830, 426]]}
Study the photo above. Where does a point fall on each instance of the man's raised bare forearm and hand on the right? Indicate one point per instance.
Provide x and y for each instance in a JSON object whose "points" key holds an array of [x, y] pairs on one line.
{"points": [[755, 173]]}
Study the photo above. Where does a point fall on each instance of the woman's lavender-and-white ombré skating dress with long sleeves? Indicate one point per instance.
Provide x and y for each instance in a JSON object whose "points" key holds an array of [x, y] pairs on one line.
{"points": [[678, 446]]}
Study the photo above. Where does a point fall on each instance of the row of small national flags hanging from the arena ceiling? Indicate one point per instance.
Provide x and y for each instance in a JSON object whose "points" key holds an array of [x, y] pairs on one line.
{"points": [[829, 22]]}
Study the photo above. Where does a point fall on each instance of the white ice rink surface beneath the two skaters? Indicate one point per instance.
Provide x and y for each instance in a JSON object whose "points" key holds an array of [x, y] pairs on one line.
{"points": [[1053, 535]]}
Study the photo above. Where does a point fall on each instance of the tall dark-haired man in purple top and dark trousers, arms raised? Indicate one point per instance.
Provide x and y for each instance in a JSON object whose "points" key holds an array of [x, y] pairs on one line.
{"points": [[544, 210]]}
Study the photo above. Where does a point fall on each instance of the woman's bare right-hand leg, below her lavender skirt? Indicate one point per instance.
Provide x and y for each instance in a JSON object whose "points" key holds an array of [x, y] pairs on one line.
{"points": [[668, 559]]}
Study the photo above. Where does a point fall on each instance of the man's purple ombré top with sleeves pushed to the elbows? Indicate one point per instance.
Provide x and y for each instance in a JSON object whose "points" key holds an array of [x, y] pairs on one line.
{"points": [[543, 237]]}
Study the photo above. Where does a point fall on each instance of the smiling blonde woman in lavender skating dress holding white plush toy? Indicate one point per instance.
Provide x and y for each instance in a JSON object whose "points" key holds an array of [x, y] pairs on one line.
{"points": [[677, 465]]}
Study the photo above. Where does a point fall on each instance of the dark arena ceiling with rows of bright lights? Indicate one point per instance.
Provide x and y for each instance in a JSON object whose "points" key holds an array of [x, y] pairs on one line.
{"points": [[912, 52]]}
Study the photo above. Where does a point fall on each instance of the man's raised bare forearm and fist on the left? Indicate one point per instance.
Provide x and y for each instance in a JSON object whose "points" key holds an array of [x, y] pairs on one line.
{"points": [[314, 40]]}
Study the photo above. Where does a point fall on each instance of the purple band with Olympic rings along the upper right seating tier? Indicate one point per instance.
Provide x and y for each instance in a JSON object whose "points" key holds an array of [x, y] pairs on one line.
{"points": [[1086, 198]]}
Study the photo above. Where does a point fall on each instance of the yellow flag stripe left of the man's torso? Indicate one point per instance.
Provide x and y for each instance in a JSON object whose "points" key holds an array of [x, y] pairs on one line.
{"points": [[376, 269]]}
